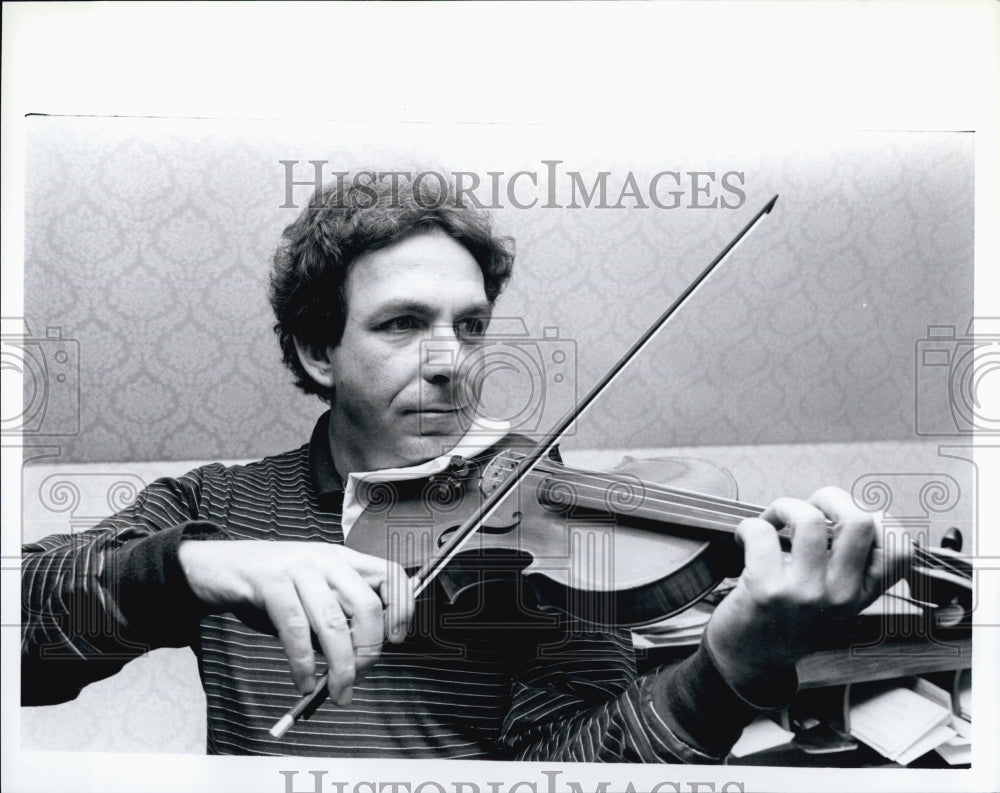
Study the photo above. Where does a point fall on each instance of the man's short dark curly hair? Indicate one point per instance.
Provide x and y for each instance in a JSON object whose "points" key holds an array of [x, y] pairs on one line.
{"points": [[350, 217]]}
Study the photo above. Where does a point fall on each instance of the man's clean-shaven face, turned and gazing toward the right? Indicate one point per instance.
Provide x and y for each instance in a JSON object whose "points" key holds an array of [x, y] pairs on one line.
{"points": [[390, 407]]}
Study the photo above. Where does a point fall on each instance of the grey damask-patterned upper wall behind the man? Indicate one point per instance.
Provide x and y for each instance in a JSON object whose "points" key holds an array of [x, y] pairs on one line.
{"points": [[147, 246]]}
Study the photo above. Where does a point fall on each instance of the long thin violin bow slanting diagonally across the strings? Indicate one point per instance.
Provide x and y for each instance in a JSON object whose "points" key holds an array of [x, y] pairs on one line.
{"points": [[423, 577]]}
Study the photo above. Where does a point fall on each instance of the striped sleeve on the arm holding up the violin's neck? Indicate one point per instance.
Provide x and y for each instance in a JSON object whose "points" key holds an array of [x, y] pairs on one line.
{"points": [[582, 702]]}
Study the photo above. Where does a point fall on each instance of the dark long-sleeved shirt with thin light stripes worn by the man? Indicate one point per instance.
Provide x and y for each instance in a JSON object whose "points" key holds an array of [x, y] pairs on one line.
{"points": [[472, 686]]}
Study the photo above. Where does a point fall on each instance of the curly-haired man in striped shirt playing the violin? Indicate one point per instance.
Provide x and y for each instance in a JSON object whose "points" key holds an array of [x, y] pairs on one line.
{"points": [[248, 565]]}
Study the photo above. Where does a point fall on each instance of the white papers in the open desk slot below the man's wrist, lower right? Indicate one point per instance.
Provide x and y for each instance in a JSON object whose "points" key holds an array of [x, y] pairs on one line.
{"points": [[901, 724]]}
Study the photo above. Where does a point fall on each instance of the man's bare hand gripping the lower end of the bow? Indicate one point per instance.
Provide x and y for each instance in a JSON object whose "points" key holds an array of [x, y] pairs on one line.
{"points": [[352, 602]]}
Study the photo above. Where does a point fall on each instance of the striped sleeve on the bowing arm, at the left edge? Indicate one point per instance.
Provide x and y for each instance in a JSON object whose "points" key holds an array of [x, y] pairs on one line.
{"points": [[92, 601]]}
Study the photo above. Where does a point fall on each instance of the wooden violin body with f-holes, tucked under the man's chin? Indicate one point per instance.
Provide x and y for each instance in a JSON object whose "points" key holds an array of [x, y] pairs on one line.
{"points": [[587, 543]]}
